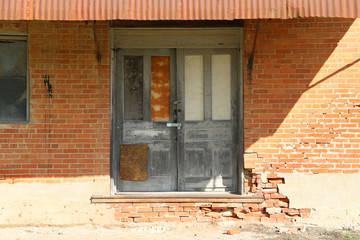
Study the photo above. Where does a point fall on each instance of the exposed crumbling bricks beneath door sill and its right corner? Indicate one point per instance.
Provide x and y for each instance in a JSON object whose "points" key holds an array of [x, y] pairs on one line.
{"points": [[274, 209]]}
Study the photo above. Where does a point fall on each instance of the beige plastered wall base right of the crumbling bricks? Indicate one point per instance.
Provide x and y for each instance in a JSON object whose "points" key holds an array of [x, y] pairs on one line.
{"points": [[333, 198]]}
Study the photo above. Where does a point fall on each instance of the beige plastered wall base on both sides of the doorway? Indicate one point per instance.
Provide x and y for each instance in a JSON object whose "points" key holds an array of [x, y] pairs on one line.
{"points": [[333, 198]]}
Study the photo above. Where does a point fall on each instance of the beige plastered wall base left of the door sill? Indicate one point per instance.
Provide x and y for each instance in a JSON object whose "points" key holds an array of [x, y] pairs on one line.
{"points": [[27, 203]]}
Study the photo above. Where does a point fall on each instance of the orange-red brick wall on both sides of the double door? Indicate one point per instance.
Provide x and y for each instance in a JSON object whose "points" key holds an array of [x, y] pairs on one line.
{"points": [[301, 107]]}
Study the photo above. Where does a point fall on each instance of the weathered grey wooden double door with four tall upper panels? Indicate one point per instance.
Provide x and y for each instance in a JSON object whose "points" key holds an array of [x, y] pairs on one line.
{"points": [[182, 104]]}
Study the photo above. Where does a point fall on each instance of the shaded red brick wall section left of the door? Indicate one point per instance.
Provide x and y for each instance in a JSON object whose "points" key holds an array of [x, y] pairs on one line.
{"points": [[68, 135]]}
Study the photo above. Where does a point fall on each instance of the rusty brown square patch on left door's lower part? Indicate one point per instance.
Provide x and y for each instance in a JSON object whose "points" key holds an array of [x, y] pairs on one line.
{"points": [[134, 162]]}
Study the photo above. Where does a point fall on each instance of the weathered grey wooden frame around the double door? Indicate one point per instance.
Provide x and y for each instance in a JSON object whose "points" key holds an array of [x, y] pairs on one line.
{"points": [[172, 38]]}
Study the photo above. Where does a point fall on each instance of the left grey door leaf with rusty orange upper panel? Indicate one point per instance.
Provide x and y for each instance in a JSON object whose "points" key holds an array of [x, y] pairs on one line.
{"points": [[147, 87]]}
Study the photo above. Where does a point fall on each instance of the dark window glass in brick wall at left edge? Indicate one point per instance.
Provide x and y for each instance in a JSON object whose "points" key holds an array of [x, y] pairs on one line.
{"points": [[13, 80]]}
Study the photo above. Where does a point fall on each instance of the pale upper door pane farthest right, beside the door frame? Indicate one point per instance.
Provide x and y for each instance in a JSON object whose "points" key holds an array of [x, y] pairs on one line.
{"points": [[221, 81]]}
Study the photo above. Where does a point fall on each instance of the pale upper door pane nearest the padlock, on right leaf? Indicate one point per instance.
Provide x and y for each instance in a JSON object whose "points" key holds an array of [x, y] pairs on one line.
{"points": [[194, 88]]}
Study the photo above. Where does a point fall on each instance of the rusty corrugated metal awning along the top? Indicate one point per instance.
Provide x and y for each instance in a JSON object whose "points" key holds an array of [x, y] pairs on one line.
{"points": [[73, 10]]}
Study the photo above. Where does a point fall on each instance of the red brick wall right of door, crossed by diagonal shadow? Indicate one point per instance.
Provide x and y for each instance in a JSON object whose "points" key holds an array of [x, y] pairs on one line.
{"points": [[302, 106]]}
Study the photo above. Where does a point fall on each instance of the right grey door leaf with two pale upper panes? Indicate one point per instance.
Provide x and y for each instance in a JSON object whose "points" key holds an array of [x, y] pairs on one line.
{"points": [[209, 133]]}
